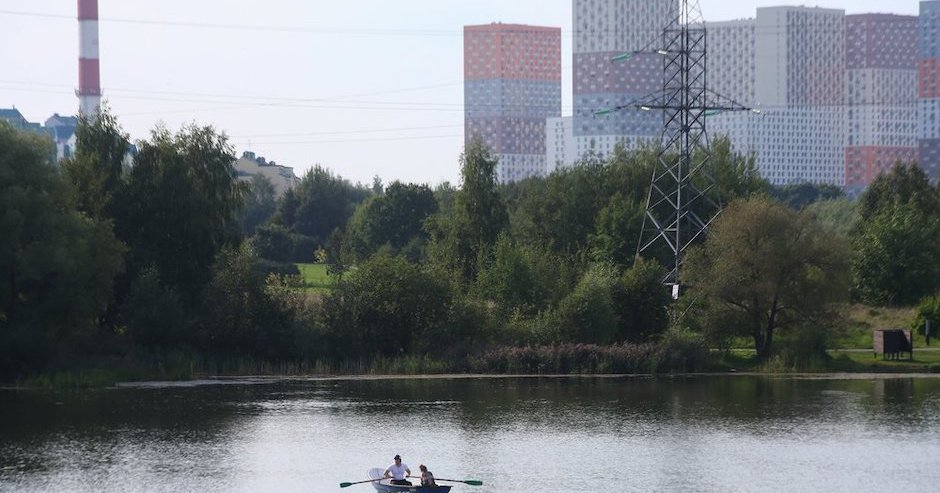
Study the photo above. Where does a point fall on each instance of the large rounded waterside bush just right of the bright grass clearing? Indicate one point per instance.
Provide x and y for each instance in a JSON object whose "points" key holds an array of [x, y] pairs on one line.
{"points": [[388, 306]]}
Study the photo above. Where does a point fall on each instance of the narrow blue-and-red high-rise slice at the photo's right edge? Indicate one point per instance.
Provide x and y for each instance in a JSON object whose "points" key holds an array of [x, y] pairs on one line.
{"points": [[928, 87]]}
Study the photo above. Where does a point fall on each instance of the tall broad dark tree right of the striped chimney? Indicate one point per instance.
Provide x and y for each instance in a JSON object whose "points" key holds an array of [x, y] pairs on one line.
{"points": [[180, 206]]}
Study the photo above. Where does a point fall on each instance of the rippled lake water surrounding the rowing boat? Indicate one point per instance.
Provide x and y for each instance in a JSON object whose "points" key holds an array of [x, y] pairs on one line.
{"points": [[516, 434]]}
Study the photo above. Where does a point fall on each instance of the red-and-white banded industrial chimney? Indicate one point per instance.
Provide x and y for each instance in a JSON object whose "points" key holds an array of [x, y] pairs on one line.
{"points": [[89, 77]]}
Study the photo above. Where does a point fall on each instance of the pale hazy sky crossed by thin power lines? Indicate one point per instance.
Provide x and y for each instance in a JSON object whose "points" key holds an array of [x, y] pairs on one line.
{"points": [[363, 87]]}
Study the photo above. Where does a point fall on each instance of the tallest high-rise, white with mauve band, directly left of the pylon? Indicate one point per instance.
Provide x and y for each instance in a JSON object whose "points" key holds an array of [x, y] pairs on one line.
{"points": [[604, 29]]}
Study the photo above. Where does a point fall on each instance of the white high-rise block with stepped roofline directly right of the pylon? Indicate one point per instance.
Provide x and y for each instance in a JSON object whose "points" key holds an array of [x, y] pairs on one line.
{"points": [[799, 83]]}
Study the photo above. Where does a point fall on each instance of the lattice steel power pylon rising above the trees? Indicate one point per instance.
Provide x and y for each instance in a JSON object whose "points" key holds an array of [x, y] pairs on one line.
{"points": [[679, 207]]}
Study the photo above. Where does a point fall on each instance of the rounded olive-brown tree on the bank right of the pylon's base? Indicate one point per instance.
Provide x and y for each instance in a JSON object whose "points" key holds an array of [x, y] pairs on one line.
{"points": [[768, 267]]}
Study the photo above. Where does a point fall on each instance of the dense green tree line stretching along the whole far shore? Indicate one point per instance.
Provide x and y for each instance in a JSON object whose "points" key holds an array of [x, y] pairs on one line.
{"points": [[168, 253]]}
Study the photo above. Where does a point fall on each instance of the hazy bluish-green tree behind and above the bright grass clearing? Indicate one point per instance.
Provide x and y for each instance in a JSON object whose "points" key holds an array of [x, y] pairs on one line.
{"points": [[320, 203]]}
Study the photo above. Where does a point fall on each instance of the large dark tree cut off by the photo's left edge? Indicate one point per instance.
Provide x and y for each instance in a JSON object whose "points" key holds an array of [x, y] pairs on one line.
{"points": [[57, 265]]}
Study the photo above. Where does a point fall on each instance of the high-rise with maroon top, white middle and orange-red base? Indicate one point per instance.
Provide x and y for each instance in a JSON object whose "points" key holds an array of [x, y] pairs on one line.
{"points": [[881, 76]]}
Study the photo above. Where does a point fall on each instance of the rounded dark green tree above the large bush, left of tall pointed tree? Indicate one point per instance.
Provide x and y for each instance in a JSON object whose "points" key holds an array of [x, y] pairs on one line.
{"points": [[395, 218]]}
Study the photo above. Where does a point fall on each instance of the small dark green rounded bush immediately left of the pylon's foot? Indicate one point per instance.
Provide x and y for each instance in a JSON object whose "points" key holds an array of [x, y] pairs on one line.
{"points": [[641, 302]]}
